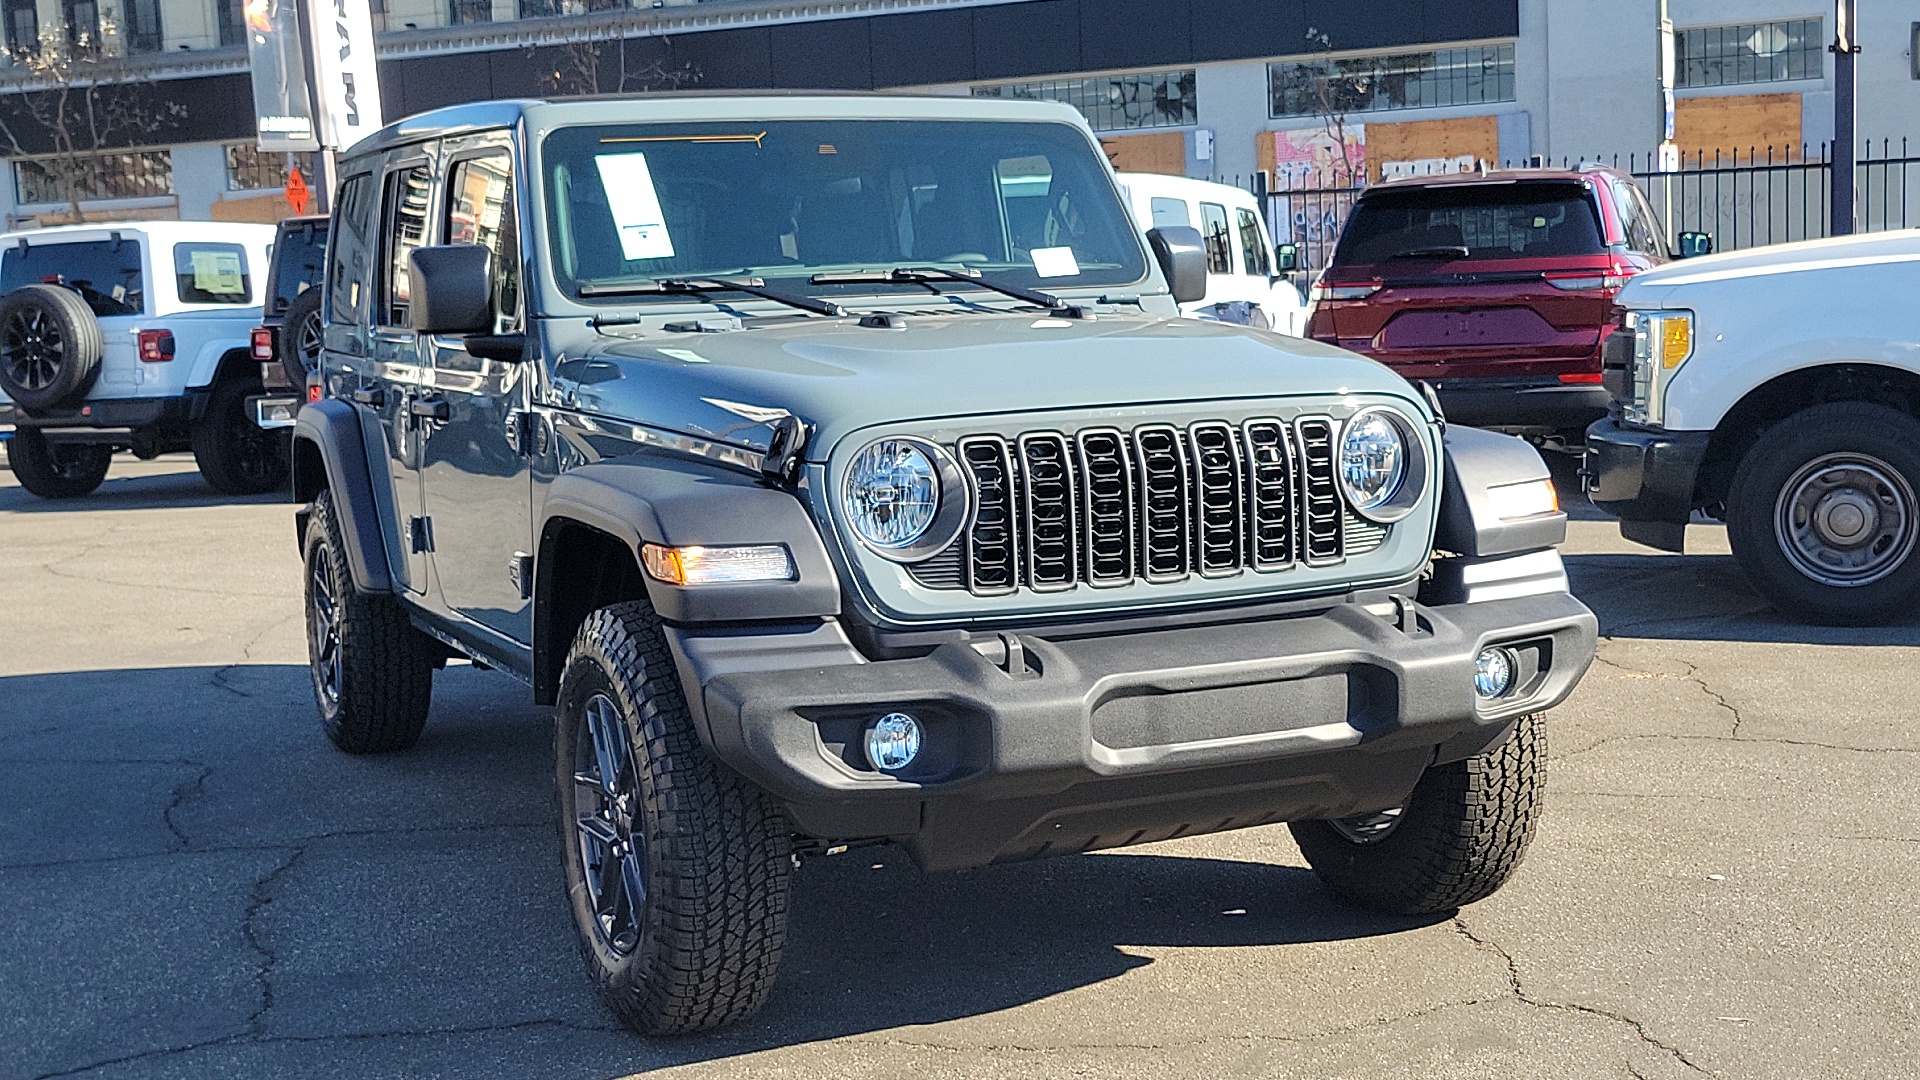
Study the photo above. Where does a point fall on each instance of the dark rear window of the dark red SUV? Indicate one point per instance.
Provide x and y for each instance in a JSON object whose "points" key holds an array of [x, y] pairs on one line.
{"points": [[1472, 222]]}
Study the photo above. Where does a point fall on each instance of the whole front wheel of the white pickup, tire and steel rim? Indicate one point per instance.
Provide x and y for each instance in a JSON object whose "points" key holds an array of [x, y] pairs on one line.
{"points": [[1823, 514]]}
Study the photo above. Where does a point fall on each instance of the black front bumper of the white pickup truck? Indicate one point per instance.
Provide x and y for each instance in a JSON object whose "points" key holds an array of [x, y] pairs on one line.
{"points": [[1646, 479]]}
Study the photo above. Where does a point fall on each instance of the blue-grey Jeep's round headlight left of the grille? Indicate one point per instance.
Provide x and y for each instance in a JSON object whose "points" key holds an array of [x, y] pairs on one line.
{"points": [[913, 512]]}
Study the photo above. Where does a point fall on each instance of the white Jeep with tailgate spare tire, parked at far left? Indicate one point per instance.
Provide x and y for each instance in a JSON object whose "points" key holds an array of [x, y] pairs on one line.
{"points": [[133, 335]]}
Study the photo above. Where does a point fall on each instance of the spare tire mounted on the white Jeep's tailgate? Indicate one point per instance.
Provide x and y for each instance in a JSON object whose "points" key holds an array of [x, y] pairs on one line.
{"points": [[49, 347]]}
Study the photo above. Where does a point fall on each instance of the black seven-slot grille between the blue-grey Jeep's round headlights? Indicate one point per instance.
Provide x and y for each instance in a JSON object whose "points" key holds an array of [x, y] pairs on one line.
{"points": [[1155, 504]]}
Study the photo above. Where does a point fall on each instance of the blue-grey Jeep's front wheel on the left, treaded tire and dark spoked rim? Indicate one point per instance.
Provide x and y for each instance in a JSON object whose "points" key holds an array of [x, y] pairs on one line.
{"points": [[677, 870]]}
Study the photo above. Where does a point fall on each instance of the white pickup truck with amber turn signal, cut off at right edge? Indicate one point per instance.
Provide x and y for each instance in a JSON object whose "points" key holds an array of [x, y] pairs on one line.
{"points": [[1779, 391]]}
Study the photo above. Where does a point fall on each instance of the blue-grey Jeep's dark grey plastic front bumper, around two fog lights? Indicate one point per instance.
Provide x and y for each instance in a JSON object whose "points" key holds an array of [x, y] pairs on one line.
{"points": [[1038, 747]]}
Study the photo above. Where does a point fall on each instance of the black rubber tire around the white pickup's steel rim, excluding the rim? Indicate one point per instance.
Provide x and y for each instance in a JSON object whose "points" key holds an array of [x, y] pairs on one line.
{"points": [[1888, 443]]}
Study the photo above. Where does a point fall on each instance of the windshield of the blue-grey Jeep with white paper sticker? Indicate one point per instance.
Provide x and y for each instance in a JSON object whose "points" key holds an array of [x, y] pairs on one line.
{"points": [[1026, 203]]}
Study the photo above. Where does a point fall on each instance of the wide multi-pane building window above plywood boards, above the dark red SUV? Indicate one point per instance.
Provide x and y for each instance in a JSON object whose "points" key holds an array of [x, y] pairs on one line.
{"points": [[1343, 86]]}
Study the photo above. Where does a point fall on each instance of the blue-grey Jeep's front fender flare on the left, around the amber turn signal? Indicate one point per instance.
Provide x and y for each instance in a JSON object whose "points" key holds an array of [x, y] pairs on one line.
{"points": [[673, 503]]}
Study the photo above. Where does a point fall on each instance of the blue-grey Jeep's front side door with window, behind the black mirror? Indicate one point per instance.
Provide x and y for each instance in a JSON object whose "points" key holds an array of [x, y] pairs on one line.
{"points": [[475, 472]]}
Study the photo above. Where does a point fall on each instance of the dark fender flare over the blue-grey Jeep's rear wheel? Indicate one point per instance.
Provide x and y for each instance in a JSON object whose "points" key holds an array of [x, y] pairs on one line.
{"points": [[329, 435]]}
